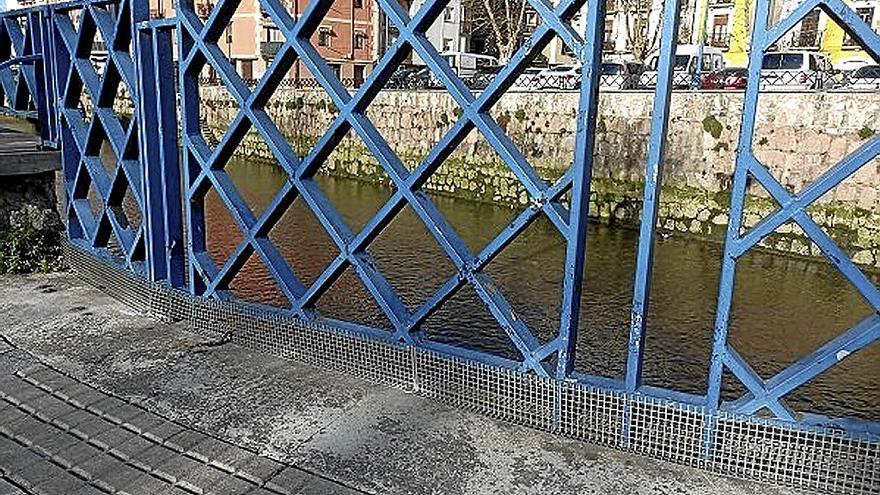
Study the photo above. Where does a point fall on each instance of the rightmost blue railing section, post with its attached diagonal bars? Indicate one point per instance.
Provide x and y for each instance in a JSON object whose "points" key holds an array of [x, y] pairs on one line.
{"points": [[768, 394]]}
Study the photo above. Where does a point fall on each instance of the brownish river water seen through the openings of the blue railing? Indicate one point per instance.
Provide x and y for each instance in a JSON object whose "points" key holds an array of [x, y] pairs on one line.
{"points": [[784, 306]]}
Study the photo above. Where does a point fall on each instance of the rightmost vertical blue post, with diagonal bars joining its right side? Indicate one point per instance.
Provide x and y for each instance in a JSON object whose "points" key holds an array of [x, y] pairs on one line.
{"points": [[737, 200]]}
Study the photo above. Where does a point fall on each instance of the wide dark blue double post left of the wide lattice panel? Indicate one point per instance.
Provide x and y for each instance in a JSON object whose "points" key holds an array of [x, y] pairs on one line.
{"points": [[157, 111]]}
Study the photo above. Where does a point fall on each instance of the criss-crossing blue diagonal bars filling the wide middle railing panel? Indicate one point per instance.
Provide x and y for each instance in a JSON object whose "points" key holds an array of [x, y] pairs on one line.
{"points": [[352, 248]]}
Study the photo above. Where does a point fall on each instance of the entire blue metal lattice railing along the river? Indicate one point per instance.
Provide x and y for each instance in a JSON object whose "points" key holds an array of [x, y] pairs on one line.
{"points": [[52, 47]]}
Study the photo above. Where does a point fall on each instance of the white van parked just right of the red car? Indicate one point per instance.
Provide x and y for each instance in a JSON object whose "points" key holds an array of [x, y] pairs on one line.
{"points": [[796, 71]]}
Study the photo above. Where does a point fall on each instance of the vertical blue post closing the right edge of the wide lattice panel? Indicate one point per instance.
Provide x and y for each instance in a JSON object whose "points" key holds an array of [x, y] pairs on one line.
{"points": [[582, 170]]}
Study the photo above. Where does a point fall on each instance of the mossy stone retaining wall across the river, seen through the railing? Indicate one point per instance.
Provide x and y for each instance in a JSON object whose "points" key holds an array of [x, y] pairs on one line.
{"points": [[799, 136]]}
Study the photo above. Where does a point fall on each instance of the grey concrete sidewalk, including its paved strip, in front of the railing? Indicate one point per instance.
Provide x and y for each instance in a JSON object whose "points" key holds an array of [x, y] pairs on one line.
{"points": [[97, 399]]}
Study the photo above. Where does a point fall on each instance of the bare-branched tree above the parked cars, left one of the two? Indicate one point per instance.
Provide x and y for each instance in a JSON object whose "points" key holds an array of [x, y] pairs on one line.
{"points": [[504, 21]]}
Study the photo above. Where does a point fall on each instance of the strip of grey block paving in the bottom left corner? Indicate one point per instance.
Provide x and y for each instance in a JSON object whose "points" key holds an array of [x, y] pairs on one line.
{"points": [[61, 436]]}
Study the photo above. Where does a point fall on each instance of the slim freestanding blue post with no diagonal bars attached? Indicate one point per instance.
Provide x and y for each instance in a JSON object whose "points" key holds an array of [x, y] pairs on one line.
{"points": [[651, 201]]}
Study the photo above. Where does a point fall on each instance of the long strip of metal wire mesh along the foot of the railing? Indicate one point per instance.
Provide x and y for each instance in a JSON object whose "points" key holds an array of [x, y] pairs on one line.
{"points": [[788, 454]]}
